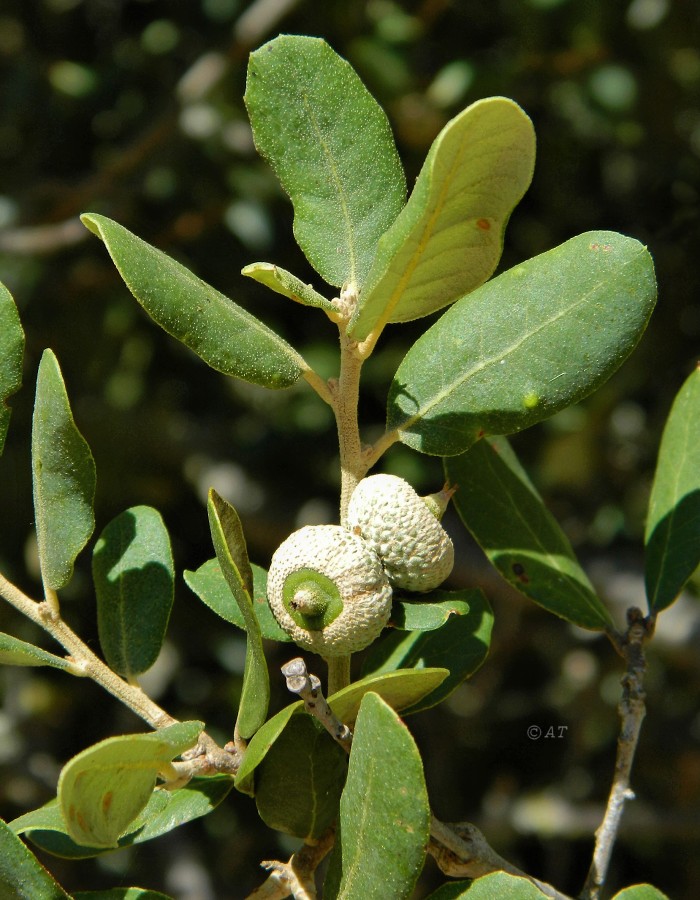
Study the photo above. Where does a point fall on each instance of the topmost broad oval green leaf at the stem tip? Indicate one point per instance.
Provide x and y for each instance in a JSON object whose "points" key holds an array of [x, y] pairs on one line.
{"points": [[331, 146]]}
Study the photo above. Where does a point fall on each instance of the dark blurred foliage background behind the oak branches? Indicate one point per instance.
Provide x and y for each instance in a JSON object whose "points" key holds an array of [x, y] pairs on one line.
{"points": [[133, 108]]}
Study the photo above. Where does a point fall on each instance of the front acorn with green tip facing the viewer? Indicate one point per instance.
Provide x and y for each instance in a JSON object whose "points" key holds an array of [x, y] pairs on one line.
{"points": [[328, 590]]}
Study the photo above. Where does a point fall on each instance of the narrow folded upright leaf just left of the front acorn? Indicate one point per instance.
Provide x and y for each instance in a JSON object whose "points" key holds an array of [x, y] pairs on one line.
{"points": [[229, 544]]}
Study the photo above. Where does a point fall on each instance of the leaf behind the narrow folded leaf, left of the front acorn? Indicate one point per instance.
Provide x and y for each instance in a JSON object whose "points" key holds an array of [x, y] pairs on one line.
{"points": [[209, 584]]}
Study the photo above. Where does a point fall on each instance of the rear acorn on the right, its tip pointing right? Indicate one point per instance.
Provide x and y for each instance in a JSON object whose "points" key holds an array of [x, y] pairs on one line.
{"points": [[404, 530]]}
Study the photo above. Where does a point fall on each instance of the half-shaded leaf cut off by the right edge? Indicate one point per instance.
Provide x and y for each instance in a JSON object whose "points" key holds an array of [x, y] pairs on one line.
{"points": [[673, 522]]}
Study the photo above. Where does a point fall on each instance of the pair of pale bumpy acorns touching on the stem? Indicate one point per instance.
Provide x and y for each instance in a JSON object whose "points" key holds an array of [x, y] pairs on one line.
{"points": [[330, 586]]}
